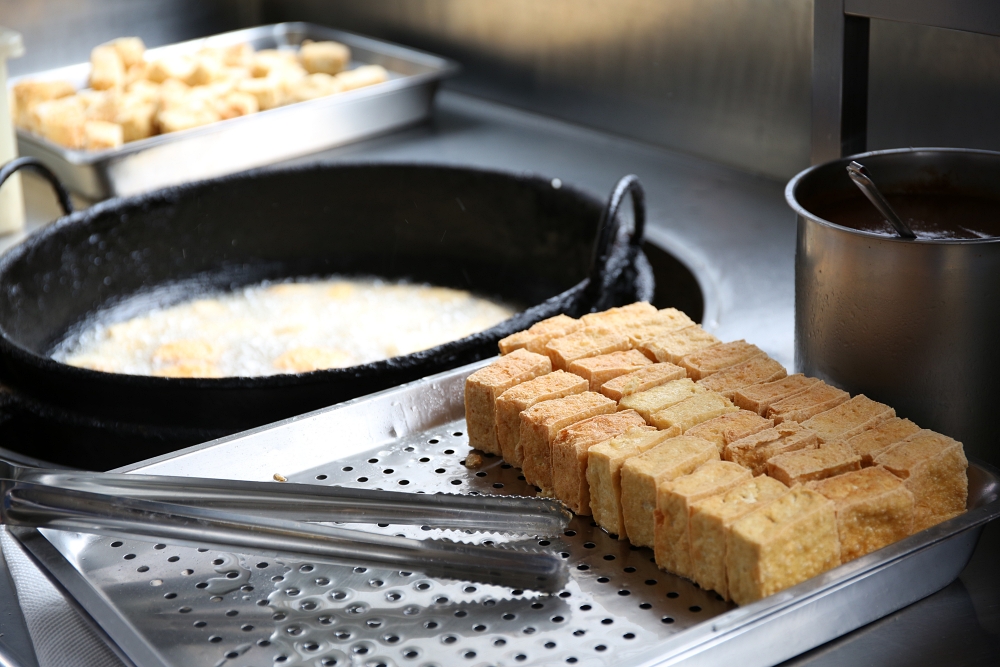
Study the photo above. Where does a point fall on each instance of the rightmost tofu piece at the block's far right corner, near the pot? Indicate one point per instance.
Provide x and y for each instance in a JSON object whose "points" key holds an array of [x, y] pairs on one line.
{"points": [[933, 468]]}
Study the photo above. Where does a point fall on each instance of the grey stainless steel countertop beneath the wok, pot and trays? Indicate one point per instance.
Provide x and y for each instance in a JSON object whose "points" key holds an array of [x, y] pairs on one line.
{"points": [[737, 235]]}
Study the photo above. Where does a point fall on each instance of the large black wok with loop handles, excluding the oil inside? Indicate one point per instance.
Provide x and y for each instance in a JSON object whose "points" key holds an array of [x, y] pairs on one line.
{"points": [[517, 237]]}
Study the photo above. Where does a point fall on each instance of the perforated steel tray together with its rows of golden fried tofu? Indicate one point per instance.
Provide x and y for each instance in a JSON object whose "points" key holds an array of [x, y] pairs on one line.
{"points": [[624, 603]]}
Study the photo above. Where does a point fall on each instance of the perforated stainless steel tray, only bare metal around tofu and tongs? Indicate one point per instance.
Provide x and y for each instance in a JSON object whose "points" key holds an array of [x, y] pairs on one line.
{"points": [[166, 605]]}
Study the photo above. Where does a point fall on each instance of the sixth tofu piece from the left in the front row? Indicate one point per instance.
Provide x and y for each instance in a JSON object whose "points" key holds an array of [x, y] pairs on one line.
{"points": [[642, 474]]}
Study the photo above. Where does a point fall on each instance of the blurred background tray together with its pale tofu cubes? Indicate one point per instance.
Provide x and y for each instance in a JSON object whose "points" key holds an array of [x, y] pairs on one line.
{"points": [[309, 120]]}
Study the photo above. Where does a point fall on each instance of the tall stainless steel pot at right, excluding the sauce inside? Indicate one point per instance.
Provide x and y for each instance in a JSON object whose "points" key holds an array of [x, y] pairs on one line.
{"points": [[914, 324]]}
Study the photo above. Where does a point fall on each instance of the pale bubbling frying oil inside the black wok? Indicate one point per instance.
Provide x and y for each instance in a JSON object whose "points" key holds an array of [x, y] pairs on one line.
{"points": [[269, 329]]}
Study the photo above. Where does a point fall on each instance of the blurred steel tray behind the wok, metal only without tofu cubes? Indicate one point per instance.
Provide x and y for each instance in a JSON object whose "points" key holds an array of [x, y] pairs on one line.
{"points": [[258, 139]]}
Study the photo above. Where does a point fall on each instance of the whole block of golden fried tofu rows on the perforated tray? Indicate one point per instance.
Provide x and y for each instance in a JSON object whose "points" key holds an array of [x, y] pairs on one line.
{"points": [[739, 476]]}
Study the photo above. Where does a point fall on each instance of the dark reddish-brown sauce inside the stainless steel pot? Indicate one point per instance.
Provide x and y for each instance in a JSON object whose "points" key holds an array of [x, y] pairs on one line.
{"points": [[930, 216]]}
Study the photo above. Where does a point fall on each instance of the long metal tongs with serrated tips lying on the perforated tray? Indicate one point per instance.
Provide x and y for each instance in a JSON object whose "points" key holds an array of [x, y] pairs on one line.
{"points": [[272, 519]]}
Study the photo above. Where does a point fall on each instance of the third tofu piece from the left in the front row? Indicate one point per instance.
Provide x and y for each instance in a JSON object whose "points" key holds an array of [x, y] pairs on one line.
{"points": [[542, 422]]}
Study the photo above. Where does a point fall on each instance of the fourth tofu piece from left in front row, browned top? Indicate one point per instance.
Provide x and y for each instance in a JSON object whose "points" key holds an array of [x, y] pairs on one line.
{"points": [[570, 451]]}
